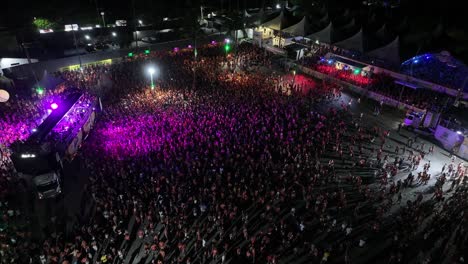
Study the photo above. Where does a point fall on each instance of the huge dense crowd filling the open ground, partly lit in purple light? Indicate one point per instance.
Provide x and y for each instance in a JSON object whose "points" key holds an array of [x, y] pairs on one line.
{"points": [[224, 161]]}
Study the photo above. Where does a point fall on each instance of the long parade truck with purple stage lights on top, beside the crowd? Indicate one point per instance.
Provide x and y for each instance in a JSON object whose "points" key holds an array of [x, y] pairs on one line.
{"points": [[39, 159]]}
